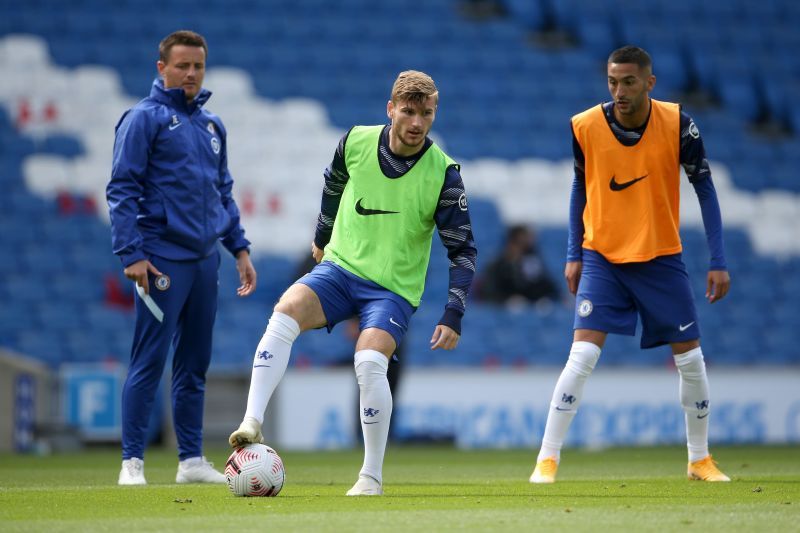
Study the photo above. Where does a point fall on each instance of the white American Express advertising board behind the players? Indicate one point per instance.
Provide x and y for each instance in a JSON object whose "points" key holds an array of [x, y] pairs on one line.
{"points": [[508, 409]]}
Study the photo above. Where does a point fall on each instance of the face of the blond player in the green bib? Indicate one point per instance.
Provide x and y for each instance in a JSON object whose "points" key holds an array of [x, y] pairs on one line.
{"points": [[410, 124]]}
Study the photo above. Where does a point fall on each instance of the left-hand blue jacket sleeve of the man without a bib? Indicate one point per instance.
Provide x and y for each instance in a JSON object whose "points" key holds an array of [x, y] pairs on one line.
{"points": [[132, 141]]}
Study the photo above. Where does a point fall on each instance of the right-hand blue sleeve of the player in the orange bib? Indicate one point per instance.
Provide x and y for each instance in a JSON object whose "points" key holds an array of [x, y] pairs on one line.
{"points": [[695, 164]]}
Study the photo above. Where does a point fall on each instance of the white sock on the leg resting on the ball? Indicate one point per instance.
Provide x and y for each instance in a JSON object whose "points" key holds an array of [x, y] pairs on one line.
{"points": [[270, 362]]}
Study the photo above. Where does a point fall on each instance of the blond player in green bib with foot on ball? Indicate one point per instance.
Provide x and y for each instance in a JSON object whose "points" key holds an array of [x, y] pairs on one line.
{"points": [[385, 191]]}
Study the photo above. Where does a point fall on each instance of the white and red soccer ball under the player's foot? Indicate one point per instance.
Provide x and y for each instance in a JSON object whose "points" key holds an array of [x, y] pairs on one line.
{"points": [[255, 470]]}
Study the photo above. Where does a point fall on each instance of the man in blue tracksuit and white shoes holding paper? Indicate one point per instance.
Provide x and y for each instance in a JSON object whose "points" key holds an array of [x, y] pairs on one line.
{"points": [[170, 202]]}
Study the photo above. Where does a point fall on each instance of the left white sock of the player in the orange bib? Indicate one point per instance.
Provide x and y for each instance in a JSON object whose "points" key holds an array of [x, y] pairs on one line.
{"points": [[567, 397]]}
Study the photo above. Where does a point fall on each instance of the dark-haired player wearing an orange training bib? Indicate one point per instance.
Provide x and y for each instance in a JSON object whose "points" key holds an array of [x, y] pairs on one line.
{"points": [[624, 252]]}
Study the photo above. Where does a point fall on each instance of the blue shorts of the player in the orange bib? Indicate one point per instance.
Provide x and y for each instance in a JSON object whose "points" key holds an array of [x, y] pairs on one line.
{"points": [[610, 296]]}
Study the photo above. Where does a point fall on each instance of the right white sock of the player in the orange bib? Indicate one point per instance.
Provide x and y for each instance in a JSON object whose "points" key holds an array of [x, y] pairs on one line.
{"points": [[694, 400]]}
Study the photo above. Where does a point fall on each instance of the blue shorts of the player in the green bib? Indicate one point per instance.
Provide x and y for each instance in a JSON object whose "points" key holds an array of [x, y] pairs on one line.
{"points": [[344, 295]]}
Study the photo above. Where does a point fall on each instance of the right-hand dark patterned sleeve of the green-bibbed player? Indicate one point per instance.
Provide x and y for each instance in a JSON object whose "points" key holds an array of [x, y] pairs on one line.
{"points": [[455, 231]]}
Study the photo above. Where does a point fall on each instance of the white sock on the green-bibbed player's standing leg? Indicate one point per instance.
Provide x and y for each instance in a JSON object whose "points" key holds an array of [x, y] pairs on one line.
{"points": [[375, 409]]}
